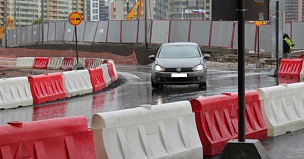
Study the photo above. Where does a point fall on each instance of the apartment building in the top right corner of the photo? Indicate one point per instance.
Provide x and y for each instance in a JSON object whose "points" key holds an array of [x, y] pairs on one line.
{"points": [[293, 11]]}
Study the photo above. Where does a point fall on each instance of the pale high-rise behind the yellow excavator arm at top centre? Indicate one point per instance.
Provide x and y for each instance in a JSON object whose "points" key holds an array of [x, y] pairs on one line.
{"points": [[156, 9]]}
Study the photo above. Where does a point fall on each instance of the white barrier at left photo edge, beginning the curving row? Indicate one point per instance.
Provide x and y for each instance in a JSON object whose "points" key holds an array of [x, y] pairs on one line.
{"points": [[15, 92]]}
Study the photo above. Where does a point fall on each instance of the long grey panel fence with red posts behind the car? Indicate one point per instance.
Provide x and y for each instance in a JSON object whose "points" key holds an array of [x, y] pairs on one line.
{"points": [[205, 33]]}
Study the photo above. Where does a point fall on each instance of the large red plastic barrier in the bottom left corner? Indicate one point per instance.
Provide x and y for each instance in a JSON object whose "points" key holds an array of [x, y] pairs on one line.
{"points": [[63, 138]]}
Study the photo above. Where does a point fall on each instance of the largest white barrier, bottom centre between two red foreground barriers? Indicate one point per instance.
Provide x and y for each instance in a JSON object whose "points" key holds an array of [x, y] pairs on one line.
{"points": [[159, 131]]}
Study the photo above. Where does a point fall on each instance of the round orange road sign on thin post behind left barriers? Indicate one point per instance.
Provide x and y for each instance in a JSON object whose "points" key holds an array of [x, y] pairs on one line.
{"points": [[75, 19]]}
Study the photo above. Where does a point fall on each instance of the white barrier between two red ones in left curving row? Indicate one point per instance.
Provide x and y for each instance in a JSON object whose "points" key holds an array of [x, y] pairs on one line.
{"points": [[77, 82]]}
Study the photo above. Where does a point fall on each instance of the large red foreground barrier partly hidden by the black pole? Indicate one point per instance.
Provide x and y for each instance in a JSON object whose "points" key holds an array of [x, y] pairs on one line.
{"points": [[217, 120]]}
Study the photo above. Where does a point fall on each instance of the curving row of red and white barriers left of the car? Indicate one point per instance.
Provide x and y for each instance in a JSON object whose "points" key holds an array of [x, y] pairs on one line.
{"points": [[37, 89]]}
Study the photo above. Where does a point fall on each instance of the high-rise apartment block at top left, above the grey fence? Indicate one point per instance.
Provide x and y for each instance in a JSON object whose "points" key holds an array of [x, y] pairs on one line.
{"points": [[24, 12]]}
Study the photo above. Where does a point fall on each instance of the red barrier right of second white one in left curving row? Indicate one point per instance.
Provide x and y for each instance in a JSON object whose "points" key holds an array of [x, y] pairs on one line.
{"points": [[96, 76]]}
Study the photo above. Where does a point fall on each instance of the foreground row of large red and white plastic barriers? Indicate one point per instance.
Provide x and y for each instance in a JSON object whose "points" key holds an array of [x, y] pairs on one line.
{"points": [[183, 129]]}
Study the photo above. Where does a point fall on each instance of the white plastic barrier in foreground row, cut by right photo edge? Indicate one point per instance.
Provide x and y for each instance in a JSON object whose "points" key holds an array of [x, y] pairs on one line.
{"points": [[283, 108]]}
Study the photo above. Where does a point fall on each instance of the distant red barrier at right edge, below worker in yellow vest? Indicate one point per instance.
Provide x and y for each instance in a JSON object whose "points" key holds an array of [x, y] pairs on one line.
{"points": [[290, 68]]}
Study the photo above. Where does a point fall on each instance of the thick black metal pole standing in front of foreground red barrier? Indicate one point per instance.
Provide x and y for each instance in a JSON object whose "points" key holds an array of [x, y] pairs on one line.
{"points": [[241, 69]]}
